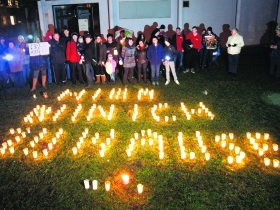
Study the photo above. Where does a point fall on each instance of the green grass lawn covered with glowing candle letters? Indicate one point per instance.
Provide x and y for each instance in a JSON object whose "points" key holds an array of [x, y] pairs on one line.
{"points": [[241, 104]]}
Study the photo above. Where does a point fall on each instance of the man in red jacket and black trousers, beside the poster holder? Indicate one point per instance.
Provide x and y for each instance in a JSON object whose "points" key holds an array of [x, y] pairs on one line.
{"points": [[191, 47]]}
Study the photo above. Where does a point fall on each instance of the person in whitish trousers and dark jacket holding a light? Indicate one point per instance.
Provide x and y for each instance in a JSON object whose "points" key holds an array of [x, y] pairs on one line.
{"points": [[169, 54]]}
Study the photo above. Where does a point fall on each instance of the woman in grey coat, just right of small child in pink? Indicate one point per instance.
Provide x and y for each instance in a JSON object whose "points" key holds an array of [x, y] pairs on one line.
{"points": [[128, 54]]}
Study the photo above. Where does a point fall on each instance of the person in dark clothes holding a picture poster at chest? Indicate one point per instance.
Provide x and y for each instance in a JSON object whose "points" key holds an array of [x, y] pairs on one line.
{"points": [[211, 44]]}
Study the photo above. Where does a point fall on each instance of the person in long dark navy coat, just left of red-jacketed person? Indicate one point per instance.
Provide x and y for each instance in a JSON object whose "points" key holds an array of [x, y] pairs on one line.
{"points": [[57, 55]]}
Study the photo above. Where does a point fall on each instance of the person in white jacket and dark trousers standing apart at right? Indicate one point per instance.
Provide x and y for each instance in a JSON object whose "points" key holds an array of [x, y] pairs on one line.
{"points": [[234, 44]]}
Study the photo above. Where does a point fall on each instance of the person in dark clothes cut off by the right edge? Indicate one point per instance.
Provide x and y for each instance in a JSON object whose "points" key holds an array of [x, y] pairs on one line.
{"points": [[274, 69]]}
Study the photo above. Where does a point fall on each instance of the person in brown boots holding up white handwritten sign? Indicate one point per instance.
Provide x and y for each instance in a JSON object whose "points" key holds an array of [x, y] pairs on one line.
{"points": [[37, 64]]}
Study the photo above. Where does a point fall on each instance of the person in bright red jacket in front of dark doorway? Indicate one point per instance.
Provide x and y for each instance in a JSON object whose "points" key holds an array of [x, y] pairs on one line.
{"points": [[73, 57]]}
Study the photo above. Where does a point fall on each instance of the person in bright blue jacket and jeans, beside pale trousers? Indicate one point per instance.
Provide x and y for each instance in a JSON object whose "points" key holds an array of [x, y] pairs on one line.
{"points": [[155, 55]]}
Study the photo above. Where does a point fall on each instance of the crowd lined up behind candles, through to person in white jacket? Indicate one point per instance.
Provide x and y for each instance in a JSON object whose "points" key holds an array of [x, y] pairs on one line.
{"points": [[88, 59]]}
